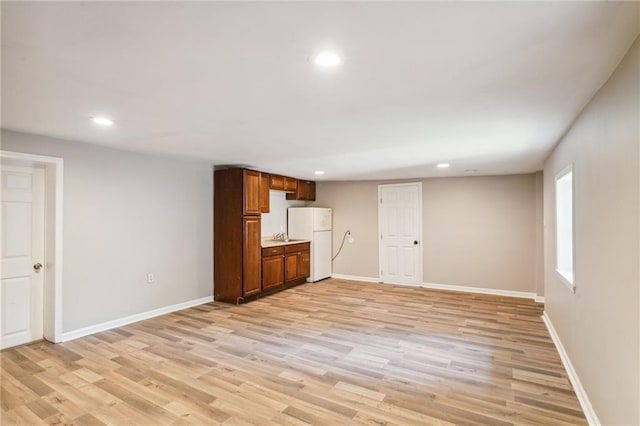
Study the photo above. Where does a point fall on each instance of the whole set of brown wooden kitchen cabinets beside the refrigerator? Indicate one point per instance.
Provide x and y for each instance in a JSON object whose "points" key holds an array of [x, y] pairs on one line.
{"points": [[242, 268]]}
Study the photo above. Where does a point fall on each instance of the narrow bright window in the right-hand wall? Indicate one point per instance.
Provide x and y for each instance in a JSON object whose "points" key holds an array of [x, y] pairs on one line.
{"points": [[564, 226]]}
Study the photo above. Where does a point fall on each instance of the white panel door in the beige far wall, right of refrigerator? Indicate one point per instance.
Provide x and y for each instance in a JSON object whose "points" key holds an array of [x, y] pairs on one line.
{"points": [[400, 228]]}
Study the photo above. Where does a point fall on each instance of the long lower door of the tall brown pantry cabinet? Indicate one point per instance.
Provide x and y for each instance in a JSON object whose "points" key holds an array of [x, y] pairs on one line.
{"points": [[251, 256]]}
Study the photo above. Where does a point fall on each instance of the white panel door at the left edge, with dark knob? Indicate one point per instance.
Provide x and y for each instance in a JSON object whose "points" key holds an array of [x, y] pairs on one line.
{"points": [[21, 253]]}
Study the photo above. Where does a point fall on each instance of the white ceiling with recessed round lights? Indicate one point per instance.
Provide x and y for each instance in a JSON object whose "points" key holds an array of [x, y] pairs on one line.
{"points": [[486, 86]]}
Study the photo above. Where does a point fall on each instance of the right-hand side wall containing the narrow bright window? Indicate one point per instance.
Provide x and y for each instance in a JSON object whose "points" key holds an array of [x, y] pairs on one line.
{"points": [[599, 325]]}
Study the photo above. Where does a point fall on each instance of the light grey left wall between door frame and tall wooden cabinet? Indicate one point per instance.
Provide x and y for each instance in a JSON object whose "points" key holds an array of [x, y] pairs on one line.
{"points": [[126, 214]]}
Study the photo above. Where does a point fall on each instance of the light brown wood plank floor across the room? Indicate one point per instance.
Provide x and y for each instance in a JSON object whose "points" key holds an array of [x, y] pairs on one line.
{"points": [[334, 353]]}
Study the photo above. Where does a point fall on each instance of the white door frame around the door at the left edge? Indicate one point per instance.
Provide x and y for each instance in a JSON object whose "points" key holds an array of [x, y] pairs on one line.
{"points": [[53, 189]]}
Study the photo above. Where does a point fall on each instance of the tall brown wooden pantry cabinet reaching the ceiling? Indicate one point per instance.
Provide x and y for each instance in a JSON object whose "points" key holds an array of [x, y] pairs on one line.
{"points": [[236, 235]]}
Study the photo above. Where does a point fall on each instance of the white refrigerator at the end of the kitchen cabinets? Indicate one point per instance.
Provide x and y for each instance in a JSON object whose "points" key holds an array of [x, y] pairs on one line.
{"points": [[313, 224]]}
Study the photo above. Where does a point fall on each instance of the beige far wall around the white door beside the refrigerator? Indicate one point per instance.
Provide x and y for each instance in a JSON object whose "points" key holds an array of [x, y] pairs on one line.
{"points": [[477, 231]]}
